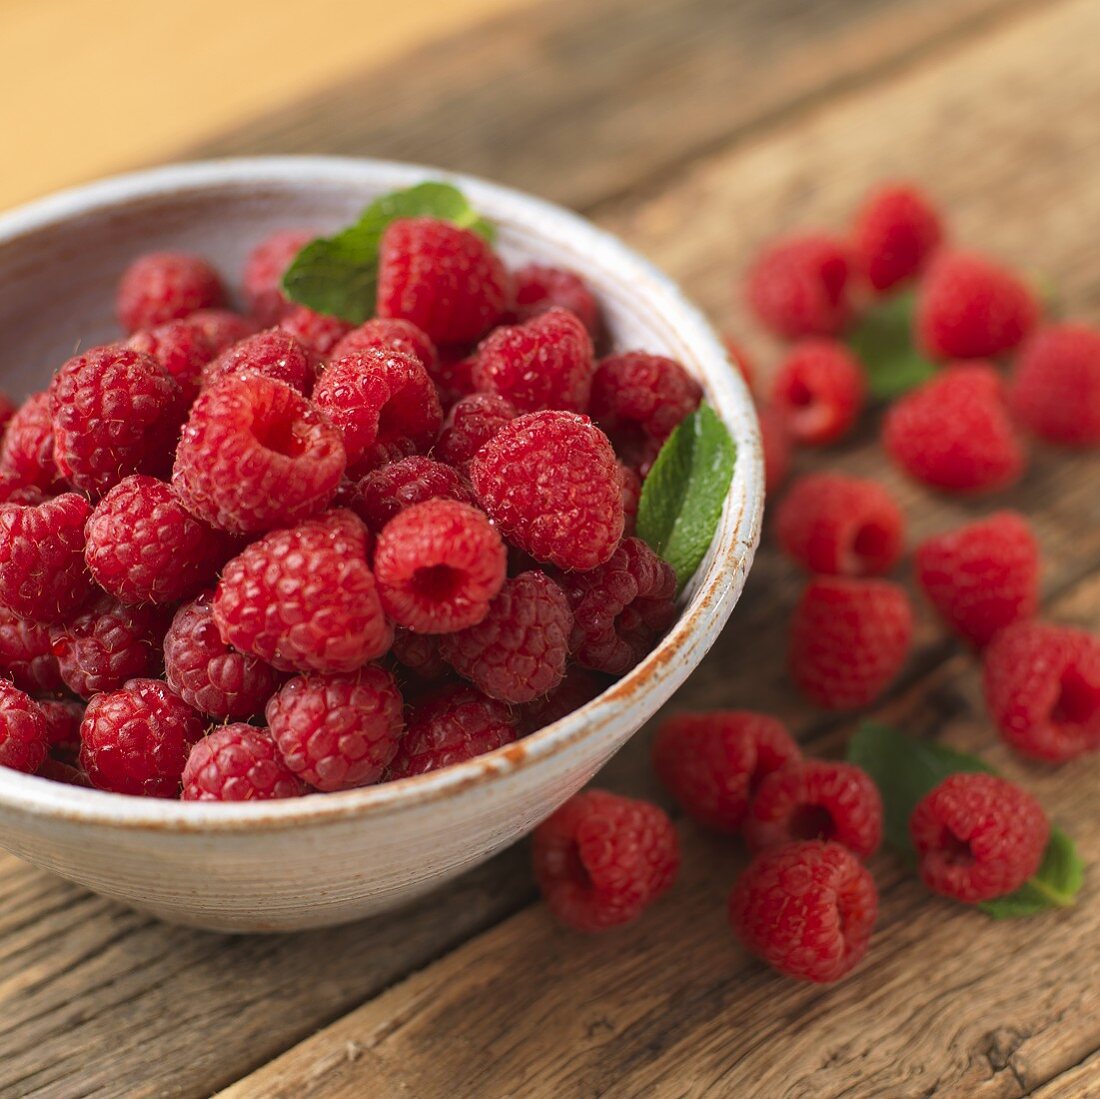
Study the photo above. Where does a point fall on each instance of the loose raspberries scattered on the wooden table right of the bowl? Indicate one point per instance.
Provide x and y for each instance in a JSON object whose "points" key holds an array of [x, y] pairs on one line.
{"points": [[807, 904]]}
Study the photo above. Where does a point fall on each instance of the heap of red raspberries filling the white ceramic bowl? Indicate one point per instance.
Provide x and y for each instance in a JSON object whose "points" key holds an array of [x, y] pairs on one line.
{"points": [[260, 554]]}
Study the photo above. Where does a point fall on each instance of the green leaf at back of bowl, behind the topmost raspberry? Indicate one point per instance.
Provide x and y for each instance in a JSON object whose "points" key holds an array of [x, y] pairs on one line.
{"points": [[339, 274]]}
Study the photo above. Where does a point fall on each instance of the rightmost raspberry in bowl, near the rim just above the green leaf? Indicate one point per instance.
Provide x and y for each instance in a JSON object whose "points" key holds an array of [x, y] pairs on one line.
{"points": [[639, 400]]}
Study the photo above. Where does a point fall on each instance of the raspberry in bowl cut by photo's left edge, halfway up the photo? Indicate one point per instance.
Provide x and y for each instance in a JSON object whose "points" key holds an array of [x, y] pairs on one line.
{"points": [[42, 572]]}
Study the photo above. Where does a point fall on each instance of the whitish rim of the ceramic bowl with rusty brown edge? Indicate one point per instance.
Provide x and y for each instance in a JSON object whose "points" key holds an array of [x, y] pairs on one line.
{"points": [[717, 586]]}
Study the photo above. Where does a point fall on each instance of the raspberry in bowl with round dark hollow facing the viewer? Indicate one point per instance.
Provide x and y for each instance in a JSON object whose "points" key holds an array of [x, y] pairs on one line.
{"points": [[439, 565]]}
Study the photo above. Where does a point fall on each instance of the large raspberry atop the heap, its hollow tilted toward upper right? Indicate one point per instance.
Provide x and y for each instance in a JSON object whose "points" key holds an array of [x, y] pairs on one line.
{"points": [[256, 455]]}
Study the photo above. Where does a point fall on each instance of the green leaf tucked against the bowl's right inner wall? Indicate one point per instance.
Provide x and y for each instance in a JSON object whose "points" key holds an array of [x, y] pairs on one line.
{"points": [[683, 498]]}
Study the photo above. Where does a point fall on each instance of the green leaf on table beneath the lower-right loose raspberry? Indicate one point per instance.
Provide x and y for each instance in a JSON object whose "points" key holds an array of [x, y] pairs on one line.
{"points": [[906, 770]]}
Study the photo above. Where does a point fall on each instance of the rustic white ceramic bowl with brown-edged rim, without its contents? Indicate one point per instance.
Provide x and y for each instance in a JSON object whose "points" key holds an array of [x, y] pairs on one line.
{"points": [[328, 859]]}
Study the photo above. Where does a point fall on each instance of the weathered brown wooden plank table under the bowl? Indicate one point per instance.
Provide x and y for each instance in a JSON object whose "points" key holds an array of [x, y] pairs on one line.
{"points": [[696, 131]]}
